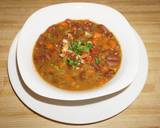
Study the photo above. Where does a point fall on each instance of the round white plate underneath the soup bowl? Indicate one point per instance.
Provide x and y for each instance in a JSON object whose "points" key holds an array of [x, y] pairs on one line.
{"points": [[89, 111]]}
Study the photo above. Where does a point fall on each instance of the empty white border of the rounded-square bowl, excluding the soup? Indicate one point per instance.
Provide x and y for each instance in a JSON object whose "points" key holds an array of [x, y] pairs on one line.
{"points": [[39, 21]]}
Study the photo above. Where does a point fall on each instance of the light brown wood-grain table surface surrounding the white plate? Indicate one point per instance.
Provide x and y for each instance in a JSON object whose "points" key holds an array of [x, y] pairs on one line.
{"points": [[143, 15]]}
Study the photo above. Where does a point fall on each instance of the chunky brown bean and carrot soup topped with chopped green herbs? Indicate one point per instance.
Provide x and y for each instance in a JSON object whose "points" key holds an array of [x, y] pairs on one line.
{"points": [[77, 55]]}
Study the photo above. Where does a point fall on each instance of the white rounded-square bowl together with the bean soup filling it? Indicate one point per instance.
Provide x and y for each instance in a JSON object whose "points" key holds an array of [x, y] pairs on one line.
{"points": [[77, 51]]}
